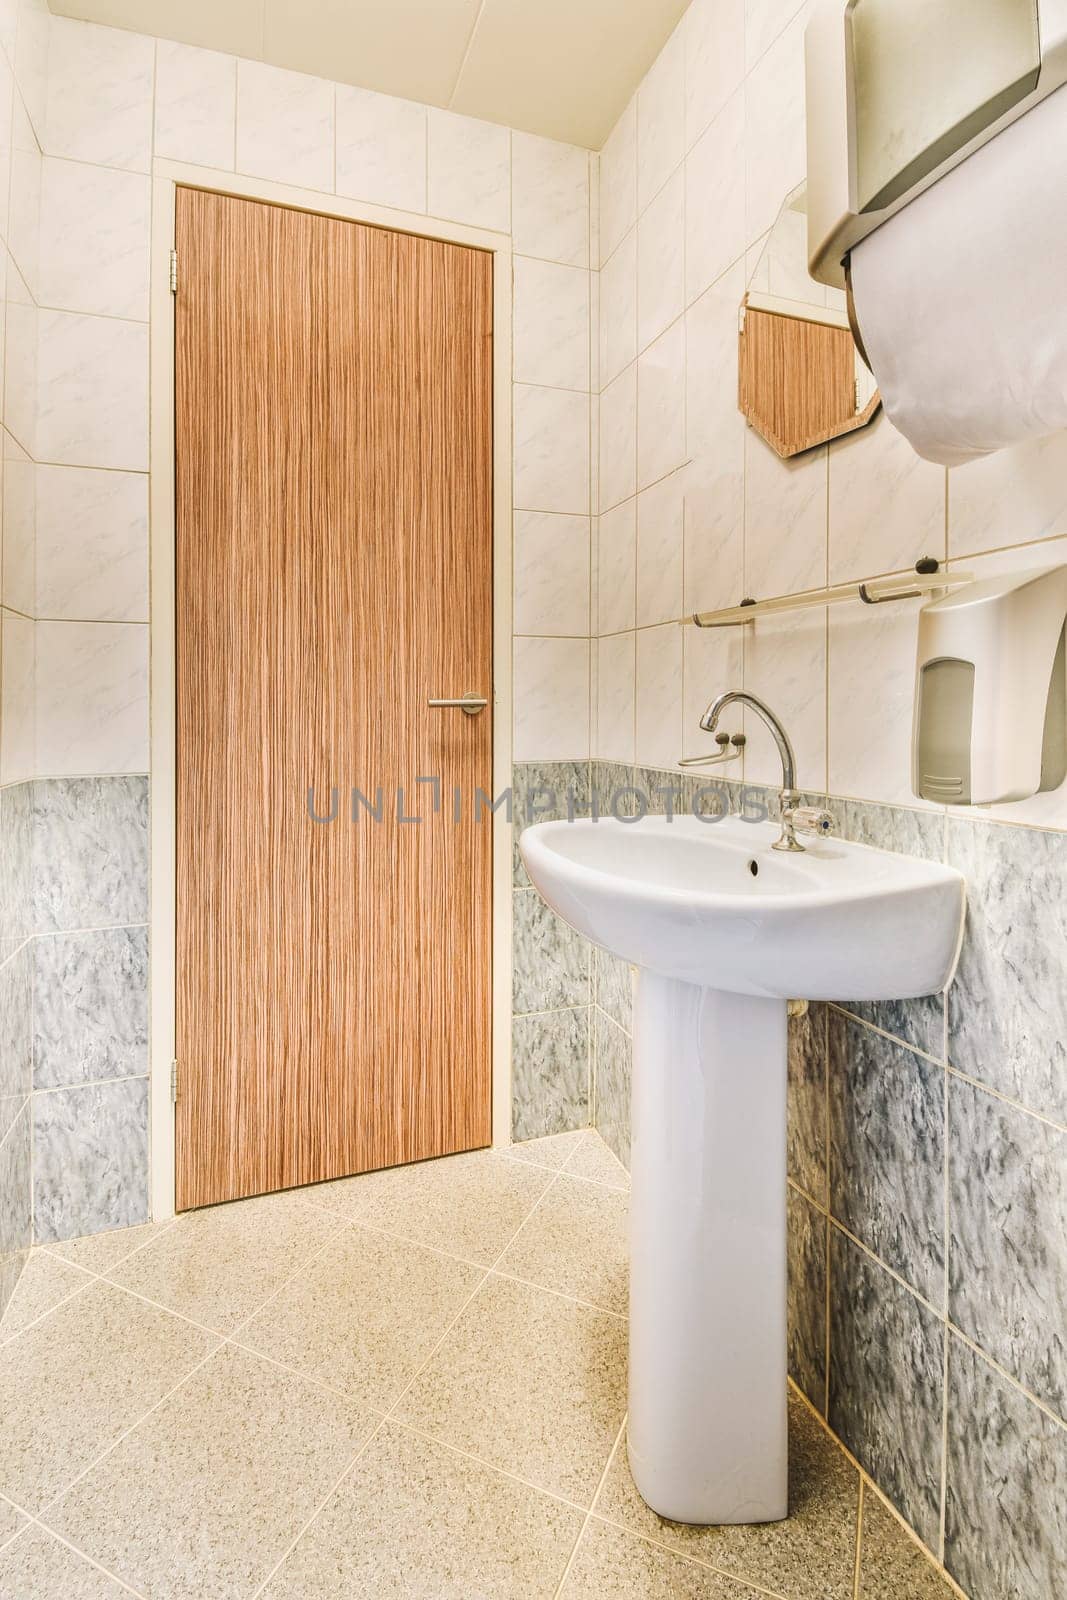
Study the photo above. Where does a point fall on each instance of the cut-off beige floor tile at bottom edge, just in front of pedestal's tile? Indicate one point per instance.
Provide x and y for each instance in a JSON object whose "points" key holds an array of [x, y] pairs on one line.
{"points": [[615, 1566]]}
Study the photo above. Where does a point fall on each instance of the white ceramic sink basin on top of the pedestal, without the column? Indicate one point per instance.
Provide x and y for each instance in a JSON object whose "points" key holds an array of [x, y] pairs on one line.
{"points": [[714, 905]]}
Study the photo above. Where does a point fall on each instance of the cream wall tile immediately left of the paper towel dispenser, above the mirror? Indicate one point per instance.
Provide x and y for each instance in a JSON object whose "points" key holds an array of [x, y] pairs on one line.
{"points": [[775, 129]]}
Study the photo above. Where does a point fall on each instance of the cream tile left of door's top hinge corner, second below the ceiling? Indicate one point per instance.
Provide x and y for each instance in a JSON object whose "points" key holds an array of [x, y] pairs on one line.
{"points": [[95, 226]]}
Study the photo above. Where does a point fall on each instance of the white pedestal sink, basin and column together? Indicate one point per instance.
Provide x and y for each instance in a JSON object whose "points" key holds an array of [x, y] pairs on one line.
{"points": [[725, 930]]}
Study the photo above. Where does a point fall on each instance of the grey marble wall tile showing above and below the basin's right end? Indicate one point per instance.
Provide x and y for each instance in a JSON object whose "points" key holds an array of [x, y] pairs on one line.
{"points": [[919, 1023]]}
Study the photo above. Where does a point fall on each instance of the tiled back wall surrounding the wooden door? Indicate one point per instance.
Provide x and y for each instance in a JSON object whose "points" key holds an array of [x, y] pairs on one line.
{"points": [[111, 105]]}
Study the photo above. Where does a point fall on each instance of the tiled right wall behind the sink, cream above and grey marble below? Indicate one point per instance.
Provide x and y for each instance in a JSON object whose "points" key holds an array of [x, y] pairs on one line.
{"points": [[929, 1143]]}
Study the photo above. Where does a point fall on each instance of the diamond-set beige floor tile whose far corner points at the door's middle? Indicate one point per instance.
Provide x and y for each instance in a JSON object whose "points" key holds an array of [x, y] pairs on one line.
{"points": [[364, 1314]]}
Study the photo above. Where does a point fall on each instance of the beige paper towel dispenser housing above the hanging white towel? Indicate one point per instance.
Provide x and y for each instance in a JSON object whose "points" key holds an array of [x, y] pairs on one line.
{"points": [[901, 92]]}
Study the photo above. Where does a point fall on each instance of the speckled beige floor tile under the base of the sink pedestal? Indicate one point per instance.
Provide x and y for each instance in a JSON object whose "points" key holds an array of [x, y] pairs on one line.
{"points": [[812, 1556]]}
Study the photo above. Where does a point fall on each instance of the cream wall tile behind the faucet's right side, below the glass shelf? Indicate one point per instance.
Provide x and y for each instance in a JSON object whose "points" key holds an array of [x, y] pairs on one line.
{"points": [[786, 668]]}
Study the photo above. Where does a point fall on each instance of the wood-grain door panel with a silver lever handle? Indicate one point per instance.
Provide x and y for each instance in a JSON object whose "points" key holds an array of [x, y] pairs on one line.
{"points": [[334, 441]]}
